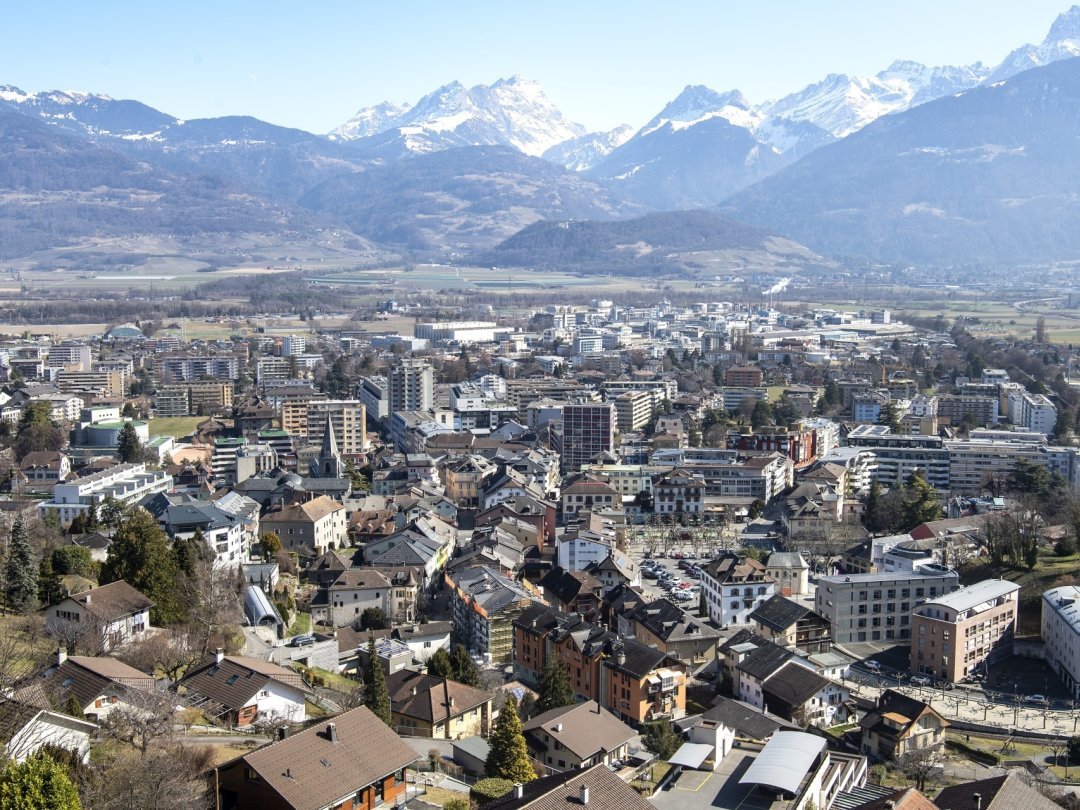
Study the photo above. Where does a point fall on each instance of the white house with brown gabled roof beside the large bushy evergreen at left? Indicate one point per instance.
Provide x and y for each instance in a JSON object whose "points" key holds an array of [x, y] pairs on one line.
{"points": [[101, 619]]}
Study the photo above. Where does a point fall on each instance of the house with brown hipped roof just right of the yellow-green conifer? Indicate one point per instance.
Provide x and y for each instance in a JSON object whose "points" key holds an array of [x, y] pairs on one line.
{"points": [[576, 737]]}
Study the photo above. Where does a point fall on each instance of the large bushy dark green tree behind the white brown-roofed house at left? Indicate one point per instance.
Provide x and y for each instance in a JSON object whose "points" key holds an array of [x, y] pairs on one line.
{"points": [[141, 556]]}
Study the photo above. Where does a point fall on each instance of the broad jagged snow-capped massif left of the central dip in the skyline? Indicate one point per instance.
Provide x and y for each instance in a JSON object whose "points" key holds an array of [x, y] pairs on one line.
{"points": [[510, 113]]}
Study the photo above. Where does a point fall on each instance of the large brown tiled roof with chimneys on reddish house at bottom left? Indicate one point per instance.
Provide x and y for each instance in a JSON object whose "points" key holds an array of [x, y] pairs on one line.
{"points": [[309, 772]]}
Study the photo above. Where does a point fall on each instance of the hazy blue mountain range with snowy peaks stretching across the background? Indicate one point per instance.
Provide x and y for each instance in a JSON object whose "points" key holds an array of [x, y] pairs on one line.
{"points": [[464, 169]]}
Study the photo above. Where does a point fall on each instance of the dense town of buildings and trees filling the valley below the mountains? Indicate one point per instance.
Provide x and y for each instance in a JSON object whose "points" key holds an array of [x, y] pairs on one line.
{"points": [[638, 555]]}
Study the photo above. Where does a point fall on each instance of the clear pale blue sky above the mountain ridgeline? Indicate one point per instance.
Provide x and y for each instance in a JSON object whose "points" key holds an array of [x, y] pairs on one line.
{"points": [[314, 65]]}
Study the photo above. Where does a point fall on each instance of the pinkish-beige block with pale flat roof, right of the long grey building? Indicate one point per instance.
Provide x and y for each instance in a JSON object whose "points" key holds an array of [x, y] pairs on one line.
{"points": [[953, 637]]}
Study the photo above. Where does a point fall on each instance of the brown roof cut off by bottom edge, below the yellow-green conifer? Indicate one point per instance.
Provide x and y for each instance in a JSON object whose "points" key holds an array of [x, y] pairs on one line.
{"points": [[561, 792]]}
